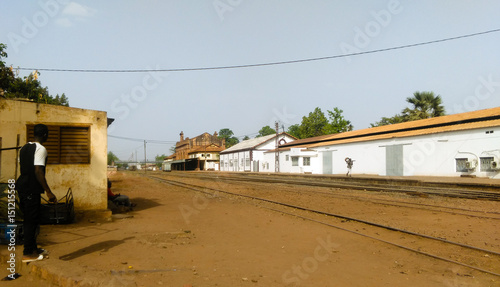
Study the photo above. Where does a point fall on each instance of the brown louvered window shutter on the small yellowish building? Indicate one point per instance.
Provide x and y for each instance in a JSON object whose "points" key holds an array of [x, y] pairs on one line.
{"points": [[65, 144]]}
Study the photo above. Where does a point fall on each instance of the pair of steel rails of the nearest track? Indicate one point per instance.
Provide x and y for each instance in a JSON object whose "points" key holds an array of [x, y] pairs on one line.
{"points": [[203, 190]]}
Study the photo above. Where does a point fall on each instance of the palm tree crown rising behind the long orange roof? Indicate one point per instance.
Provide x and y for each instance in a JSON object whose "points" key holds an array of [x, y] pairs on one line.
{"points": [[425, 105]]}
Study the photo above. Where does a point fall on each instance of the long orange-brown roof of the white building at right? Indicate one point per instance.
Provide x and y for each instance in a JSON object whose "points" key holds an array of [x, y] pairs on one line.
{"points": [[476, 119]]}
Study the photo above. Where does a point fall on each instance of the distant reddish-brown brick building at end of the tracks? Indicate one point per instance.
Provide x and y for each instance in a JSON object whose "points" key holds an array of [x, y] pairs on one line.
{"points": [[198, 153]]}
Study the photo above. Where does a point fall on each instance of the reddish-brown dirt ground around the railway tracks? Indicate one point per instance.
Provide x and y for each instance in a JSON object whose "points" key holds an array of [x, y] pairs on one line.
{"points": [[177, 237]]}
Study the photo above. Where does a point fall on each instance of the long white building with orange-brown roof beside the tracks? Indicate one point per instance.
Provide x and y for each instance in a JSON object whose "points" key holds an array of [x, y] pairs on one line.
{"points": [[466, 144]]}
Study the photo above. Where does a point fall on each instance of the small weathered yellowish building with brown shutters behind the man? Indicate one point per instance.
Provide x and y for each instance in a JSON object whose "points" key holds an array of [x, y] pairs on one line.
{"points": [[77, 148]]}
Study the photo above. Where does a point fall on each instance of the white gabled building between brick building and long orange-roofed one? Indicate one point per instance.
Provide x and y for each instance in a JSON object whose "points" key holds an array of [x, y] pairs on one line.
{"points": [[249, 155]]}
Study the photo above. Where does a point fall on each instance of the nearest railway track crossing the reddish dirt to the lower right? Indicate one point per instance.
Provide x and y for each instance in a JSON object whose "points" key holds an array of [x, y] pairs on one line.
{"points": [[479, 259]]}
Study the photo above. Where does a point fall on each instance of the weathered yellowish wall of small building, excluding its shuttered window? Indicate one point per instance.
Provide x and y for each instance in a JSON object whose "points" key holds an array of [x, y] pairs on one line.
{"points": [[87, 181]]}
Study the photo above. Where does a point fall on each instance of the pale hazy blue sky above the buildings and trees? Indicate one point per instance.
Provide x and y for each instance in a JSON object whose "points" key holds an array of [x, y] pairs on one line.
{"points": [[190, 34]]}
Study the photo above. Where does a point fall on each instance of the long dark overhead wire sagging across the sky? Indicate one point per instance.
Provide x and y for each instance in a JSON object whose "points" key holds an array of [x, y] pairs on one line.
{"points": [[262, 64]]}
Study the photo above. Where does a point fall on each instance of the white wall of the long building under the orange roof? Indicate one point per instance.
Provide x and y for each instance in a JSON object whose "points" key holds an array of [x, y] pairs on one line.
{"points": [[426, 155]]}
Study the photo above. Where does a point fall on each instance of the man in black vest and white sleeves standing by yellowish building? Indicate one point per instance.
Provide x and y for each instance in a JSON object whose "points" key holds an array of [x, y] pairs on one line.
{"points": [[30, 185]]}
